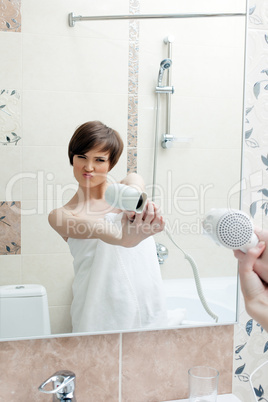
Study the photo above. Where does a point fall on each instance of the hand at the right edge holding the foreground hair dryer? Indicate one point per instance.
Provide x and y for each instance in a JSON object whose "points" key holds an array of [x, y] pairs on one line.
{"points": [[253, 272]]}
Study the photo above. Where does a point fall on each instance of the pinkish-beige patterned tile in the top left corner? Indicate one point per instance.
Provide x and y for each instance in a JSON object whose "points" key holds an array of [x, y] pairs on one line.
{"points": [[10, 16]]}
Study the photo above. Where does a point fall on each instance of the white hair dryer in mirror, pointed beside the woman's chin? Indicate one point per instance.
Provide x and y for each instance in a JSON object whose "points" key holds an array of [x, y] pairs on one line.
{"points": [[125, 197]]}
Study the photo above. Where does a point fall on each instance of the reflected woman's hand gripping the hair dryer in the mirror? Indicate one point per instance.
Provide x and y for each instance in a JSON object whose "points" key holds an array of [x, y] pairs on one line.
{"points": [[137, 227]]}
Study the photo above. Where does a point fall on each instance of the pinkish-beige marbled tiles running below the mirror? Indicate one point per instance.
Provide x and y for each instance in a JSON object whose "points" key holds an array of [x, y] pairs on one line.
{"points": [[154, 364]]}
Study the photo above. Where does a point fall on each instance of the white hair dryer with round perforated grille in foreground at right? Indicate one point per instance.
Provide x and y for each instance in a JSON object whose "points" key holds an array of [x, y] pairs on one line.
{"points": [[230, 228]]}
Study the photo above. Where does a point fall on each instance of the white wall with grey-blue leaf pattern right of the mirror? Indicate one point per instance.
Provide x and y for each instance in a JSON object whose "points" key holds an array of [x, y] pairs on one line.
{"points": [[251, 342]]}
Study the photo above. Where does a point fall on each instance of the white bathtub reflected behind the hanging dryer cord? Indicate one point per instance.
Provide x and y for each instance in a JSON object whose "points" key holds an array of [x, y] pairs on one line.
{"points": [[183, 301]]}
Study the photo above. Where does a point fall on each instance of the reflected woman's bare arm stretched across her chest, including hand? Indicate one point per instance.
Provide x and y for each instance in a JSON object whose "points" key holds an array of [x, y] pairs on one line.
{"points": [[143, 225]]}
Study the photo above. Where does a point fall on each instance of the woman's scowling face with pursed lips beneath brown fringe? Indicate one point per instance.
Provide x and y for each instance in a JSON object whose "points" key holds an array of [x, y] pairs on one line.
{"points": [[91, 168]]}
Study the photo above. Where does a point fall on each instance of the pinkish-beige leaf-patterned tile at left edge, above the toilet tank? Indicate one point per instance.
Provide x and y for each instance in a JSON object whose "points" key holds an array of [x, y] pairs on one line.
{"points": [[10, 228]]}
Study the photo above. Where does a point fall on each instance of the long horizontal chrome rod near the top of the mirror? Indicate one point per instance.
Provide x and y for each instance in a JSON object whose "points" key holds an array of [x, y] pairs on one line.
{"points": [[72, 19]]}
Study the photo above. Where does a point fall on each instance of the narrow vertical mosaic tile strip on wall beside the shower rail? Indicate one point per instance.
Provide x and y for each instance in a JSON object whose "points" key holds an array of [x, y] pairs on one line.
{"points": [[133, 82]]}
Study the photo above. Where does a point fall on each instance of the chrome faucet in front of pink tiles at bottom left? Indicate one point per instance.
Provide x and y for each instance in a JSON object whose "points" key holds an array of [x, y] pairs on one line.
{"points": [[63, 386]]}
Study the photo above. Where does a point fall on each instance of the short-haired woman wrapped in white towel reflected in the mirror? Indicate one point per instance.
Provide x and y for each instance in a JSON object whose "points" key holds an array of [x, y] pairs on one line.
{"points": [[117, 282]]}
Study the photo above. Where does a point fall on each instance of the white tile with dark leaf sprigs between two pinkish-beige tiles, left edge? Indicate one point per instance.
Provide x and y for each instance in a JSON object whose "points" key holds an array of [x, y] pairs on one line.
{"points": [[10, 117]]}
